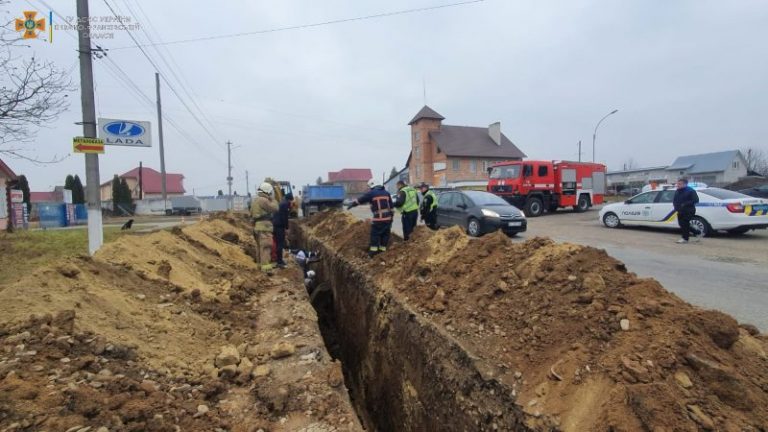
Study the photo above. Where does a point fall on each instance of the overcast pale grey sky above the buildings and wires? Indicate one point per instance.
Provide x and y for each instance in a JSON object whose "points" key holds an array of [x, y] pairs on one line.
{"points": [[686, 76]]}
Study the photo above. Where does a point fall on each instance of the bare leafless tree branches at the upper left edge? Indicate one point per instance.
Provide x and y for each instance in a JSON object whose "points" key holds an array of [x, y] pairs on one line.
{"points": [[32, 94]]}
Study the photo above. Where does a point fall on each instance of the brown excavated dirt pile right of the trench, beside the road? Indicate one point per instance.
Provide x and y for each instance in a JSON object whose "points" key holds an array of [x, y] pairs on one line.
{"points": [[586, 345]]}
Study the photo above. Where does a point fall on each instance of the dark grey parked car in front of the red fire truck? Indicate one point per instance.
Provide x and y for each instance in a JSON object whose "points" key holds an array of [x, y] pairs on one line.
{"points": [[479, 213]]}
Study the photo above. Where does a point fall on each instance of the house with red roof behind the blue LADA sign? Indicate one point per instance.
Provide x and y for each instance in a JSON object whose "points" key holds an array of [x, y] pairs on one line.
{"points": [[151, 184]]}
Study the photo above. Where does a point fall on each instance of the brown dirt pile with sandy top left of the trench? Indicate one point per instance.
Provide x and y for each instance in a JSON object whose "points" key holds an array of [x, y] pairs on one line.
{"points": [[167, 331]]}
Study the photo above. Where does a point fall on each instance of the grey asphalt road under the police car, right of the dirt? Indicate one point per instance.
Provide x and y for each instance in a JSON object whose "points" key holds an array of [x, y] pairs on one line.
{"points": [[728, 273]]}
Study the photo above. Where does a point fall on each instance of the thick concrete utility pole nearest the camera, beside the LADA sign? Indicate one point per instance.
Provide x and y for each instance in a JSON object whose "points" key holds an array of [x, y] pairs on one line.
{"points": [[93, 188]]}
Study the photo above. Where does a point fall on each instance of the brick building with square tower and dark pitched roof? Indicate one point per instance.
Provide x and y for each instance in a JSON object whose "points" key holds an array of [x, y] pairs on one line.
{"points": [[444, 155]]}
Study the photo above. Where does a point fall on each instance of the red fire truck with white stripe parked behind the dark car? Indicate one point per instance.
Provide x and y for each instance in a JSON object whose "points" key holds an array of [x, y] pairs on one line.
{"points": [[538, 186]]}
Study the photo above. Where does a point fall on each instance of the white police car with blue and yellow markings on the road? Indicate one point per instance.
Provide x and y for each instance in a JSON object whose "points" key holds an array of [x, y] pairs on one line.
{"points": [[717, 210]]}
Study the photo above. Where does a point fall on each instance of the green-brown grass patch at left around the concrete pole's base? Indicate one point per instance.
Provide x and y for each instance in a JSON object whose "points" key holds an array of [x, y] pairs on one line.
{"points": [[23, 252]]}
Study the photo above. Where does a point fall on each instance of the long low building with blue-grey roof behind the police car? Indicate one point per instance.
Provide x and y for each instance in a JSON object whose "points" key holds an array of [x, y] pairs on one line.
{"points": [[714, 169]]}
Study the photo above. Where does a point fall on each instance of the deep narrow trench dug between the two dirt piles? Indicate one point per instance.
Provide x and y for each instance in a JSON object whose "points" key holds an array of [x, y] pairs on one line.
{"points": [[402, 372]]}
